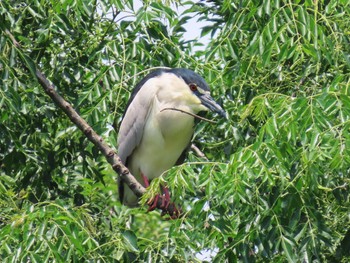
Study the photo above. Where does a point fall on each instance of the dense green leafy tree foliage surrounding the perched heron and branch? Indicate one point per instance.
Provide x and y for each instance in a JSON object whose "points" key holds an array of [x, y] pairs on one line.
{"points": [[276, 187]]}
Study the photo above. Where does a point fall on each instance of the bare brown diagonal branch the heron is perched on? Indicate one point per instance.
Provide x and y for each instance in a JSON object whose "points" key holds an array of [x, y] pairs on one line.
{"points": [[110, 155]]}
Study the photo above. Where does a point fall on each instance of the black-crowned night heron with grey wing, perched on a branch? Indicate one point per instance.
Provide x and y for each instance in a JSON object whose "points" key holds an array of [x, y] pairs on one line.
{"points": [[158, 124]]}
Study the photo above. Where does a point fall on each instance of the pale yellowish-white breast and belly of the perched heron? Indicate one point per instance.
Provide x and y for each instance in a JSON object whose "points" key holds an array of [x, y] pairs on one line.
{"points": [[166, 135]]}
